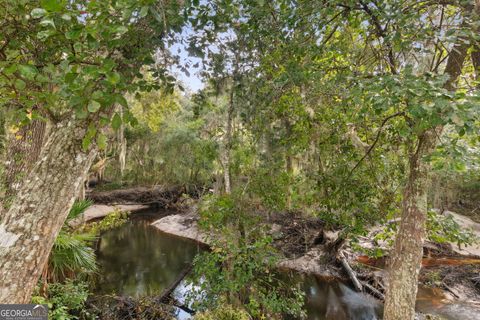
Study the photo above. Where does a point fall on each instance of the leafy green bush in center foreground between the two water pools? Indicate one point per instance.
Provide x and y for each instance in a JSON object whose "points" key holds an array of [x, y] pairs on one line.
{"points": [[240, 269]]}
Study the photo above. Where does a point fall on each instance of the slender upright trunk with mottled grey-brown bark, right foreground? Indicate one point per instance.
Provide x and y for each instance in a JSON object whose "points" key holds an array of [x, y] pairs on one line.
{"points": [[406, 258]]}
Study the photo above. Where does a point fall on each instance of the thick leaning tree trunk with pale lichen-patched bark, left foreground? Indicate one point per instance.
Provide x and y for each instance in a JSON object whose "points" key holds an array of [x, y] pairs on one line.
{"points": [[29, 228]]}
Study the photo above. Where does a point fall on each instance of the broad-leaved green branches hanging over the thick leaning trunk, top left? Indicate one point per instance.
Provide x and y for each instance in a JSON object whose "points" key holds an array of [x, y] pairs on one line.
{"points": [[90, 57]]}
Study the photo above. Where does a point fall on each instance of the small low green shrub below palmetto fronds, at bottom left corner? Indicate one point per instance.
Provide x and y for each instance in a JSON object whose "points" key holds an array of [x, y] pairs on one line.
{"points": [[66, 301]]}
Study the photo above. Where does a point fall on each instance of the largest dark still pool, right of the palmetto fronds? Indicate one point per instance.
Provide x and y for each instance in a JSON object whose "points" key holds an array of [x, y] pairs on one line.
{"points": [[138, 260]]}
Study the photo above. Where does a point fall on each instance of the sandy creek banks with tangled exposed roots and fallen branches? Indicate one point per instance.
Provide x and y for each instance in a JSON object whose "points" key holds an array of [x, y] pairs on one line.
{"points": [[309, 247]]}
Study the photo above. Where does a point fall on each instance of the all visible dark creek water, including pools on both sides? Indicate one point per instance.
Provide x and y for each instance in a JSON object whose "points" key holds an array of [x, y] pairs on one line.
{"points": [[138, 260]]}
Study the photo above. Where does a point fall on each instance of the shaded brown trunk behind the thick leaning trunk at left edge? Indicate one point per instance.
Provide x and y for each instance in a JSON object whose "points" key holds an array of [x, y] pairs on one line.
{"points": [[23, 149]]}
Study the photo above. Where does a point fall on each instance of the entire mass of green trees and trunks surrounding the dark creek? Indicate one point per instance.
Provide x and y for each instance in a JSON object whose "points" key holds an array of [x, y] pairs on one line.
{"points": [[353, 113]]}
